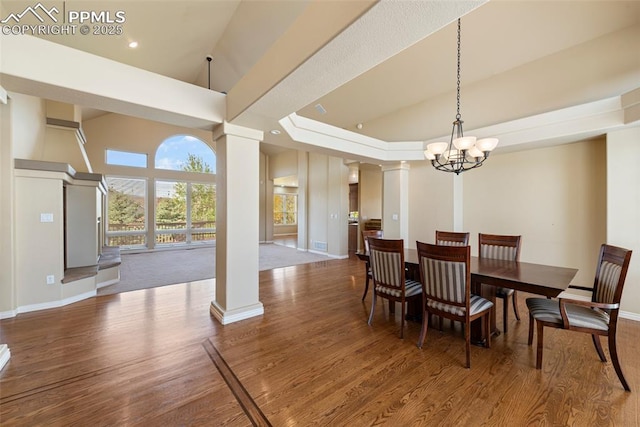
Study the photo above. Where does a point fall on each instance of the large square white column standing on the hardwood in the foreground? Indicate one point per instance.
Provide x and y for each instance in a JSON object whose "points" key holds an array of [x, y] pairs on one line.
{"points": [[237, 226]]}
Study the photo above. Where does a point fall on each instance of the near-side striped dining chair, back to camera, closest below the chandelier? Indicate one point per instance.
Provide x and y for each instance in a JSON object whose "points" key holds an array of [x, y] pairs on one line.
{"points": [[445, 274]]}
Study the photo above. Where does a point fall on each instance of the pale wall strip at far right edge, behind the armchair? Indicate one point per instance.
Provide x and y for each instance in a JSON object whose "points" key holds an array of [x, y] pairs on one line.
{"points": [[623, 207]]}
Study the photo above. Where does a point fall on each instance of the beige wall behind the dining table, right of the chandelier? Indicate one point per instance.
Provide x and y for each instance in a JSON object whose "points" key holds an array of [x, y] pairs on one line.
{"points": [[554, 197]]}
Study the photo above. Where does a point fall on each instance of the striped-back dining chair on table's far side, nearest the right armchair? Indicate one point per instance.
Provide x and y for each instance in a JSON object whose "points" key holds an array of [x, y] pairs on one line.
{"points": [[507, 248]]}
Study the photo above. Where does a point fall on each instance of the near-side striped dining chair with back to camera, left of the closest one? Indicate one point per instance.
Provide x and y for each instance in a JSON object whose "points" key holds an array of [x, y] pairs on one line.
{"points": [[388, 275]]}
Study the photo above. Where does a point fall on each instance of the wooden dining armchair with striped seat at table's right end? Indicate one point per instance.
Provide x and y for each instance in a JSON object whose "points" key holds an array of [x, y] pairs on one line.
{"points": [[596, 317]]}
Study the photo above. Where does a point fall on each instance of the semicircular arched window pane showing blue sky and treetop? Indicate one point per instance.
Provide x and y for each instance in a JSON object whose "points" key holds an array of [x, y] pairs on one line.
{"points": [[185, 153]]}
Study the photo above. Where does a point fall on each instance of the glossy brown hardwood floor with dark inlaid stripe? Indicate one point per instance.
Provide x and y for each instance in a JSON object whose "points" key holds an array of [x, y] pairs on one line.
{"points": [[157, 357]]}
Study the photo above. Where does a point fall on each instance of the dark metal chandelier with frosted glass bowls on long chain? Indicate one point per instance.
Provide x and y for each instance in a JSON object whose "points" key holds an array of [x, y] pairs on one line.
{"points": [[461, 153]]}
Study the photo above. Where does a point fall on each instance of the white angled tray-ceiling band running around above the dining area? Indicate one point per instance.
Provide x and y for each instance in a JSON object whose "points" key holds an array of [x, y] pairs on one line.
{"points": [[554, 127]]}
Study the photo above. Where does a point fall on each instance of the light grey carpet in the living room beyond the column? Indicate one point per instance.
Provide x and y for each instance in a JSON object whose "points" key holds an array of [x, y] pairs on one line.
{"points": [[153, 269]]}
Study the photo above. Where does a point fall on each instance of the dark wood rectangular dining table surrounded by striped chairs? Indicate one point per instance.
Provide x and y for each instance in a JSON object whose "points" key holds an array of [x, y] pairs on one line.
{"points": [[487, 274]]}
